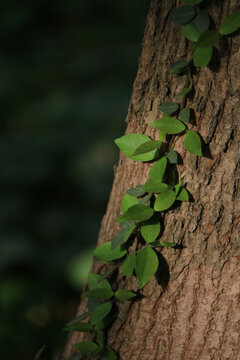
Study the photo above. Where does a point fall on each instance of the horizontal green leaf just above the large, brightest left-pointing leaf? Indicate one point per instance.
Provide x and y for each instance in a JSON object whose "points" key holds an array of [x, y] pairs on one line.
{"points": [[169, 125]]}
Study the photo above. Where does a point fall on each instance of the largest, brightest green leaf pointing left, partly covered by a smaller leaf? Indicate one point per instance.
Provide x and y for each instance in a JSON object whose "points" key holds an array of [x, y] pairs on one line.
{"points": [[130, 142]]}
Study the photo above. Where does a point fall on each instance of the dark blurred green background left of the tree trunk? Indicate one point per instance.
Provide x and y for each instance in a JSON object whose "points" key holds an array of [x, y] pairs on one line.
{"points": [[66, 74]]}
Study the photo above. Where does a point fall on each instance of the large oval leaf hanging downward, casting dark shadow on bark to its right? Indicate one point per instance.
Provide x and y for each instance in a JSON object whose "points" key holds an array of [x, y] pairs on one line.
{"points": [[146, 265]]}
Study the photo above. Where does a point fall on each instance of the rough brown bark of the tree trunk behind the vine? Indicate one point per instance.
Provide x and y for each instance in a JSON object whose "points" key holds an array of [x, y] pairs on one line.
{"points": [[194, 312]]}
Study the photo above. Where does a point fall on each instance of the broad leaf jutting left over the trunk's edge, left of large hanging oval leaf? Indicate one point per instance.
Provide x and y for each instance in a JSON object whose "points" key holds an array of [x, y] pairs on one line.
{"points": [[106, 253]]}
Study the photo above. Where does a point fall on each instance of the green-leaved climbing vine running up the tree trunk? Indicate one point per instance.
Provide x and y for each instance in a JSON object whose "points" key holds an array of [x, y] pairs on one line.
{"points": [[134, 250]]}
